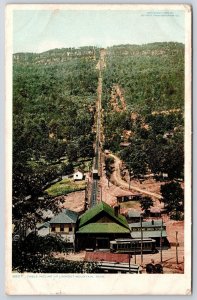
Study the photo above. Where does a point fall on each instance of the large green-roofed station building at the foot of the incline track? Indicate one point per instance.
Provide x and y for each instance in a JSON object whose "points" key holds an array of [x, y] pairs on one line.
{"points": [[100, 225]]}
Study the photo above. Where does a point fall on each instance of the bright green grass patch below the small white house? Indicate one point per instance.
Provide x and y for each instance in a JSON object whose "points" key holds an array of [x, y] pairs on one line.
{"points": [[65, 186]]}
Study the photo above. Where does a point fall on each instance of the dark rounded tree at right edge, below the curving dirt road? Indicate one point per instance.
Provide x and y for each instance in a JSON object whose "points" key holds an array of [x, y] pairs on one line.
{"points": [[173, 198]]}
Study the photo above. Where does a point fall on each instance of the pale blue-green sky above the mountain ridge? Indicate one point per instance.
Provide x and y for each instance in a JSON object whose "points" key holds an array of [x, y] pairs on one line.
{"points": [[41, 30]]}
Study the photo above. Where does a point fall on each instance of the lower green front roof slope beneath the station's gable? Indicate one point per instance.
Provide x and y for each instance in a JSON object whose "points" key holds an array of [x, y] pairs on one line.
{"points": [[103, 228]]}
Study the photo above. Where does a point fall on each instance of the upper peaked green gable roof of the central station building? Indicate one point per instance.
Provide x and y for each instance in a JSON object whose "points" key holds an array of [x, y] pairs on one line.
{"points": [[102, 206]]}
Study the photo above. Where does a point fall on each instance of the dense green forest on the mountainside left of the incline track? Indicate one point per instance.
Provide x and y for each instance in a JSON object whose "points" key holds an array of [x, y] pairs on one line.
{"points": [[54, 97]]}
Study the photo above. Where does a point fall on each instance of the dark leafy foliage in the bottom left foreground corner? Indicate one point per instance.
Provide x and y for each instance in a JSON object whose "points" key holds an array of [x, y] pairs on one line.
{"points": [[33, 255]]}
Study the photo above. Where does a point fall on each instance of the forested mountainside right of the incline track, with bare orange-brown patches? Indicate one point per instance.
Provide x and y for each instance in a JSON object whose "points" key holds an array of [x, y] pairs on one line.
{"points": [[143, 98]]}
